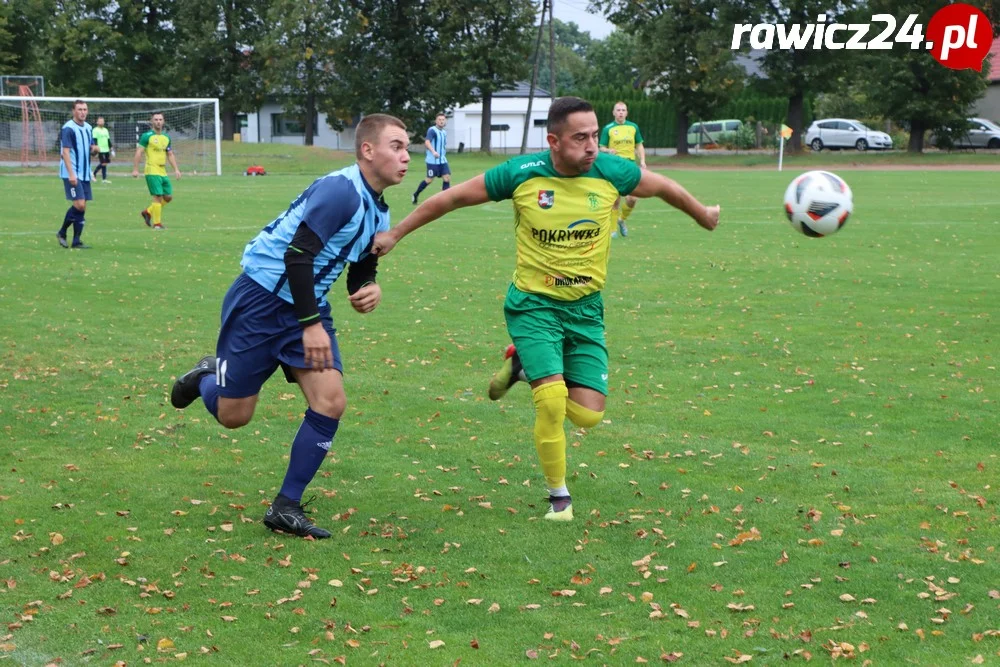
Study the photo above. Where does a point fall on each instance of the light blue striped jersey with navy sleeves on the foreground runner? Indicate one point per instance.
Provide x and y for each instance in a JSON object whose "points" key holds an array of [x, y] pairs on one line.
{"points": [[342, 210]]}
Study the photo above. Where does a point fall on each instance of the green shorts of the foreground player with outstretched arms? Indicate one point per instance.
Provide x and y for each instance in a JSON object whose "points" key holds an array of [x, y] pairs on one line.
{"points": [[559, 337]]}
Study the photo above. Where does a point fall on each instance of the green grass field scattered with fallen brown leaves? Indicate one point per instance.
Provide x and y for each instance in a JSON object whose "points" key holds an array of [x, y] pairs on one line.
{"points": [[799, 458]]}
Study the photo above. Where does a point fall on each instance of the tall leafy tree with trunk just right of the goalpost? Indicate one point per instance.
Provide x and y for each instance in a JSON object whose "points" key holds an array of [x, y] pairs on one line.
{"points": [[221, 41]]}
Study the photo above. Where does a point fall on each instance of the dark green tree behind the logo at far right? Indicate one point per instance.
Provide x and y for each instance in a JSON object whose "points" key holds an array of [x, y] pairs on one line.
{"points": [[912, 88]]}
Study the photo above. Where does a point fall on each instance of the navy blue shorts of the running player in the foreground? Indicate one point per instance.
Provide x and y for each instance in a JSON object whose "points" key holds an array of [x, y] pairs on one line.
{"points": [[259, 333]]}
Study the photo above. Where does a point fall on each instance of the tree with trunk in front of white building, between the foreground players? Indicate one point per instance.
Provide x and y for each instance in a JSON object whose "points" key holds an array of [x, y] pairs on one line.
{"points": [[494, 39]]}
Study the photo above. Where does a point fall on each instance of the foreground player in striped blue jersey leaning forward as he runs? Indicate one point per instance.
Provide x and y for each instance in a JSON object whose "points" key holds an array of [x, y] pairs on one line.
{"points": [[276, 312]]}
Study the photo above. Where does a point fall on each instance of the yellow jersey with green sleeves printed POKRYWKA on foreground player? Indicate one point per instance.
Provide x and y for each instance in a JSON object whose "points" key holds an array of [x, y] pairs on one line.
{"points": [[562, 224]]}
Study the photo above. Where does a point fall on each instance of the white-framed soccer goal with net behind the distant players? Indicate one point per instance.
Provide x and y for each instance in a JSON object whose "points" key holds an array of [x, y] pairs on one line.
{"points": [[30, 128]]}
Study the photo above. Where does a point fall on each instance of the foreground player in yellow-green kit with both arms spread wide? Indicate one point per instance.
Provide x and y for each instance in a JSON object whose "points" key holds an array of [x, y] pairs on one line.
{"points": [[564, 211]]}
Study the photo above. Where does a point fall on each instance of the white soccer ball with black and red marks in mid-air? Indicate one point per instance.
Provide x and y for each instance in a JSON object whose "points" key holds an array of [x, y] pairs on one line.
{"points": [[818, 203]]}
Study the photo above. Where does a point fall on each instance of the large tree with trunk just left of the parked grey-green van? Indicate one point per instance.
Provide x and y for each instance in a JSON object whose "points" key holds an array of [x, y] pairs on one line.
{"points": [[683, 53]]}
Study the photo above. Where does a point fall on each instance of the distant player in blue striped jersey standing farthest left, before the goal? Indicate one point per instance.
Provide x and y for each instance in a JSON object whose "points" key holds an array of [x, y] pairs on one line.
{"points": [[77, 141]]}
